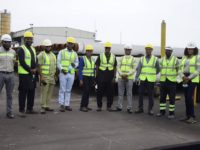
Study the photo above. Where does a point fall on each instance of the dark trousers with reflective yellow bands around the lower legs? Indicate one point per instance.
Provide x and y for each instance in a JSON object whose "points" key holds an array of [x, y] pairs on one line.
{"points": [[168, 88]]}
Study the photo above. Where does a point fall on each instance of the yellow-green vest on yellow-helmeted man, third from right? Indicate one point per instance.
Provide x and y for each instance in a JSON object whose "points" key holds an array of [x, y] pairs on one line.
{"points": [[148, 70]]}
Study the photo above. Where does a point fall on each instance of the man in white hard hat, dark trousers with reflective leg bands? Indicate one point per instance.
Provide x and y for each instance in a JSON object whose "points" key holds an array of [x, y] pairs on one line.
{"points": [[168, 73]]}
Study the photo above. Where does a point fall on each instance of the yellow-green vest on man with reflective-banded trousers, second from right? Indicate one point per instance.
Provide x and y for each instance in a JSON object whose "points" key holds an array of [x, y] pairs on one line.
{"points": [[168, 69]]}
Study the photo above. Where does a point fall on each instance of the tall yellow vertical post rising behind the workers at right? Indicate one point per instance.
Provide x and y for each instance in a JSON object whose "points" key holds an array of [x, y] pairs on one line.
{"points": [[163, 38]]}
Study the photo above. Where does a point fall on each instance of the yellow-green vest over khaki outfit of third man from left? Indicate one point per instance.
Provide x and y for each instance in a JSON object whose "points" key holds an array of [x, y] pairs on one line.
{"points": [[45, 66]]}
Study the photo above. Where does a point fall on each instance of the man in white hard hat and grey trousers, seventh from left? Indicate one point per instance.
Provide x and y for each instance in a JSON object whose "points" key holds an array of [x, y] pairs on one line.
{"points": [[126, 70]]}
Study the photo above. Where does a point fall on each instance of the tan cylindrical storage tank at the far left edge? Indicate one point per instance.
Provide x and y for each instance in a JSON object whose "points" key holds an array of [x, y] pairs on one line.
{"points": [[5, 22]]}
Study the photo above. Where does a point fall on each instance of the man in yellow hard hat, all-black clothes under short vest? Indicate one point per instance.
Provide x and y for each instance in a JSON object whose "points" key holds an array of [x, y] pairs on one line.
{"points": [[106, 73]]}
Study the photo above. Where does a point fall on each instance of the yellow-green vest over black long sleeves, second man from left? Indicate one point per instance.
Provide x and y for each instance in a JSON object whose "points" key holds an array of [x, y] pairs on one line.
{"points": [[27, 58]]}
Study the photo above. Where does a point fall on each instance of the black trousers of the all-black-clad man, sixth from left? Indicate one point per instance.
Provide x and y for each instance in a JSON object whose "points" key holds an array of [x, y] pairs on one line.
{"points": [[107, 87]]}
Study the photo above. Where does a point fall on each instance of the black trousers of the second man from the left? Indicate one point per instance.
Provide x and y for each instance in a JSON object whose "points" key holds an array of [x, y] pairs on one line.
{"points": [[26, 92]]}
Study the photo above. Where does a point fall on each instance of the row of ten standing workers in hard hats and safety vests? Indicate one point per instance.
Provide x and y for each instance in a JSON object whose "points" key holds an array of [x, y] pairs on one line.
{"points": [[103, 72]]}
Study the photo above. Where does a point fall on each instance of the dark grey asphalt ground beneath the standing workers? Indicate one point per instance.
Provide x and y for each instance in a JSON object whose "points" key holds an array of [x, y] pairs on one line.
{"points": [[93, 130]]}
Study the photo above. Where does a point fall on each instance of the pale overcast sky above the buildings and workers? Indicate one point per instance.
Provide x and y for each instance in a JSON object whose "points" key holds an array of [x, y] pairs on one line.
{"points": [[138, 21]]}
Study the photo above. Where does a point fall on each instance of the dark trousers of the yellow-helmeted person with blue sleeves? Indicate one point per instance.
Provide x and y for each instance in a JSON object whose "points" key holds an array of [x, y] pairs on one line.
{"points": [[87, 84]]}
